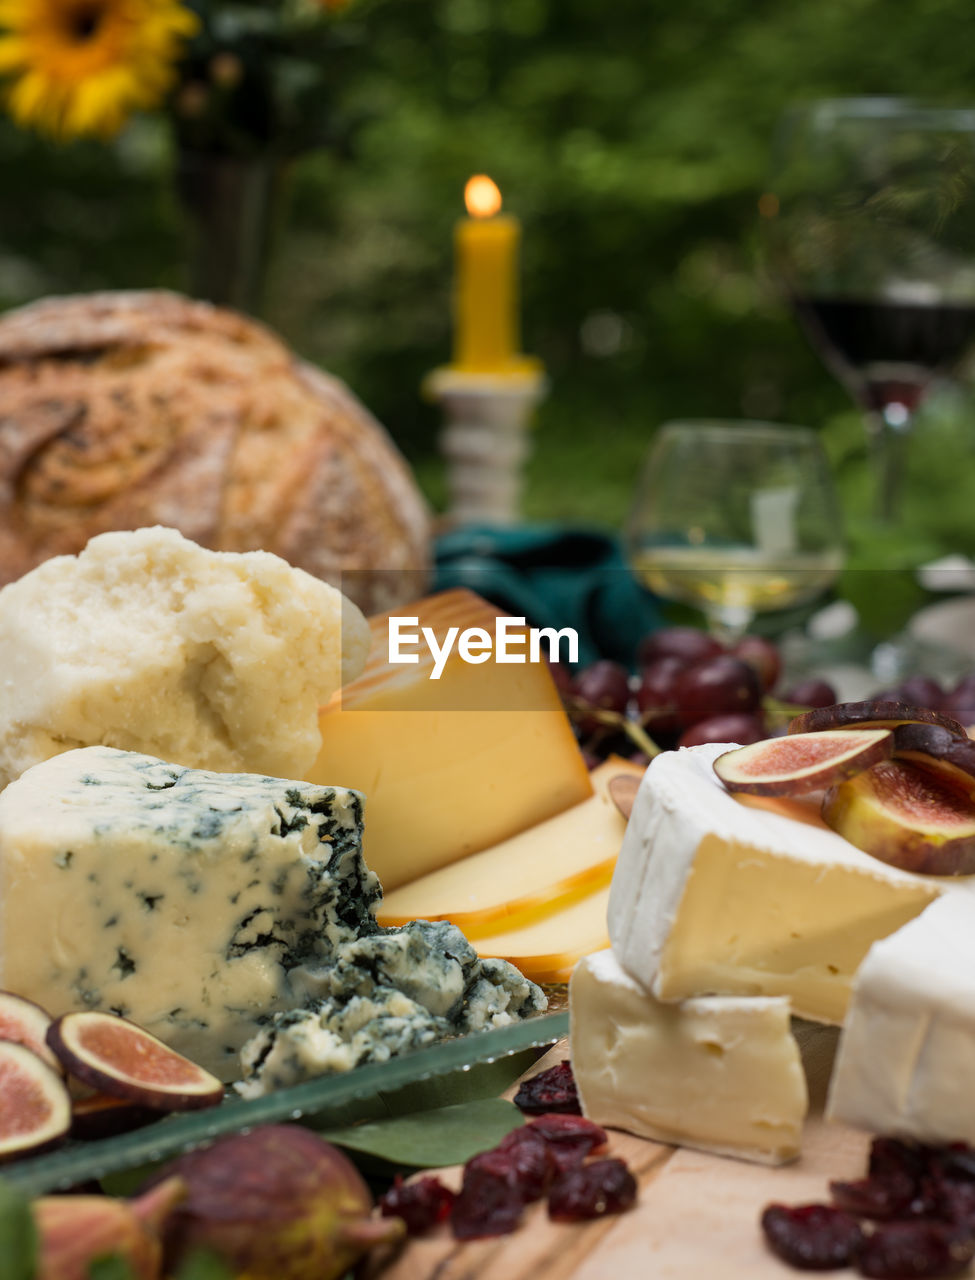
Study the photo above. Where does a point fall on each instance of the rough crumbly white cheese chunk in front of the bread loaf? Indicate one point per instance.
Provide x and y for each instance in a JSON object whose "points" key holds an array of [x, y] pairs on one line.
{"points": [[149, 643]]}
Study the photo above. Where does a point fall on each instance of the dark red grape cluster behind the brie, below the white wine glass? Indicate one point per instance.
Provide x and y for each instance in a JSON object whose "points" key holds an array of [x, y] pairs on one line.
{"points": [[689, 689]]}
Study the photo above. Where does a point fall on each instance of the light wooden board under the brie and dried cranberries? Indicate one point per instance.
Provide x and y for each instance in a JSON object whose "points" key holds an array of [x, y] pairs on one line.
{"points": [[697, 1218]]}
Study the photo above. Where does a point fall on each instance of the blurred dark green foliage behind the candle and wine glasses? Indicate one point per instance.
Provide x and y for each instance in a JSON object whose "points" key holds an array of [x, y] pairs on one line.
{"points": [[633, 139]]}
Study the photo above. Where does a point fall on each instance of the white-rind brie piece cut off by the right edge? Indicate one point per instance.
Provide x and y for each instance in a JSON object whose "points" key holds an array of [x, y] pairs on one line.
{"points": [[907, 1059]]}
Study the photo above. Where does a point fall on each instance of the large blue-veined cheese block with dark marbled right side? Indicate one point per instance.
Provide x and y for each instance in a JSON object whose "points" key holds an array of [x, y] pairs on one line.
{"points": [[180, 899]]}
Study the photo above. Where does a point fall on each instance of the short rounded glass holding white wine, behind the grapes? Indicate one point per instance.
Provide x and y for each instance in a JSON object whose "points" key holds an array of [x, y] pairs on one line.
{"points": [[736, 519]]}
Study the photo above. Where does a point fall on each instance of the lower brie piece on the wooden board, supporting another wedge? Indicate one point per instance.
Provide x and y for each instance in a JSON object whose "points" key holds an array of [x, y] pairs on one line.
{"points": [[718, 1073]]}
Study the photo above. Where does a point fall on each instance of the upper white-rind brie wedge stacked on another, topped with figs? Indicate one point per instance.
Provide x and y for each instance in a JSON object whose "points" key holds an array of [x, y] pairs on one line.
{"points": [[716, 898]]}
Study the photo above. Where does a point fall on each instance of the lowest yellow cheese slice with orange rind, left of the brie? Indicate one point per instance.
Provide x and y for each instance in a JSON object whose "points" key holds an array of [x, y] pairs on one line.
{"points": [[550, 949]]}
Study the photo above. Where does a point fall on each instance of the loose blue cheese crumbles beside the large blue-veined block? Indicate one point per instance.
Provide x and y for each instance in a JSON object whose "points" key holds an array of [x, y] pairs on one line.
{"points": [[383, 995]]}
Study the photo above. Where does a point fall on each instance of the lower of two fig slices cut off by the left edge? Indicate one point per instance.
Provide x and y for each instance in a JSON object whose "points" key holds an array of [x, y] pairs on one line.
{"points": [[35, 1108]]}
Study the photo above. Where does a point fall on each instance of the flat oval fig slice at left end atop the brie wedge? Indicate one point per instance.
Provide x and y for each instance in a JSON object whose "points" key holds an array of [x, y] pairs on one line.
{"points": [[804, 762]]}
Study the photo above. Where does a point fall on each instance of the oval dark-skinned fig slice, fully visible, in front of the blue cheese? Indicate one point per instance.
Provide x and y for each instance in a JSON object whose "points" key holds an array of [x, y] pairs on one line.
{"points": [[118, 1058]]}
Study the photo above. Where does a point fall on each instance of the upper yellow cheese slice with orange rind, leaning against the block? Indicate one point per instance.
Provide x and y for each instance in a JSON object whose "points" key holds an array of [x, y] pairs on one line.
{"points": [[530, 875]]}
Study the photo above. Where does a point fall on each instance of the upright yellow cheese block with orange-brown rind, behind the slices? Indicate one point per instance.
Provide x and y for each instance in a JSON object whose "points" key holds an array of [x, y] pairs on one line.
{"points": [[448, 766]]}
